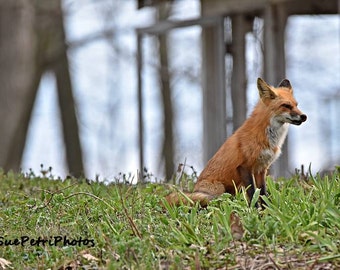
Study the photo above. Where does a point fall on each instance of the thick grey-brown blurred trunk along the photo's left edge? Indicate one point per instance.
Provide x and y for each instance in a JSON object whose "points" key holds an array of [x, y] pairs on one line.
{"points": [[19, 77]]}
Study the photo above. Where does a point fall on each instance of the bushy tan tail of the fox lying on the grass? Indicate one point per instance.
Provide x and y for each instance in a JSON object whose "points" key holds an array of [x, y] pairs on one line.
{"points": [[186, 198]]}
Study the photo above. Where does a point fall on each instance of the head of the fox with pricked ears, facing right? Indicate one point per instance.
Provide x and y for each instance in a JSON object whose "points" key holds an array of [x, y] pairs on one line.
{"points": [[280, 102]]}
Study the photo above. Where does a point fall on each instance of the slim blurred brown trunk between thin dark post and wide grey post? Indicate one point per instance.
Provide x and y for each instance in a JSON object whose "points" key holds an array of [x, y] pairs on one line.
{"points": [[168, 149]]}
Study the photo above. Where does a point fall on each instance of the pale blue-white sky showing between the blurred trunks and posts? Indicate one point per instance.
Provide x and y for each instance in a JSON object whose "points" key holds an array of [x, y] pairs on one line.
{"points": [[104, 78]]}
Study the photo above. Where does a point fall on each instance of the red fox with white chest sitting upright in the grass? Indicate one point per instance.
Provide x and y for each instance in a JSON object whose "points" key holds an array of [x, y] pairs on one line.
{"points": [[244, 158]]}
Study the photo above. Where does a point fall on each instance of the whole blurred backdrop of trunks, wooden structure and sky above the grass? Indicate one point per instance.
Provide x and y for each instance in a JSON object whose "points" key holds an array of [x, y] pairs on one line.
{"points": [[103, 87]]}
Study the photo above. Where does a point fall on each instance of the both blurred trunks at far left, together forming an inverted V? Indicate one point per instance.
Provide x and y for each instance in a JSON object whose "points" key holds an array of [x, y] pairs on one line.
{"points": [[32, 41]]}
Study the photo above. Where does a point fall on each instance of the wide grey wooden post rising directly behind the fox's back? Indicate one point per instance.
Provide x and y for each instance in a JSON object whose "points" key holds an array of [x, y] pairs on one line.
{"points": [[213, 86]]}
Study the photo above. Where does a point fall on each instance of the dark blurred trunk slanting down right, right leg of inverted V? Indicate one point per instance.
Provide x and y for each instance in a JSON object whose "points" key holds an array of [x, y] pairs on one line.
{"points": [[52, 46]]}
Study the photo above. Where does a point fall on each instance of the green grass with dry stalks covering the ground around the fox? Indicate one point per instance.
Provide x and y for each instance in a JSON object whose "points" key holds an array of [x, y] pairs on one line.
{"points": [[118, 226]]}
